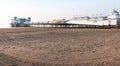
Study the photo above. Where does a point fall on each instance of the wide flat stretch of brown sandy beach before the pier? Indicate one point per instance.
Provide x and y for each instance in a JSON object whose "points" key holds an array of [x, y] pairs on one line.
{"points": [[59, 47]]}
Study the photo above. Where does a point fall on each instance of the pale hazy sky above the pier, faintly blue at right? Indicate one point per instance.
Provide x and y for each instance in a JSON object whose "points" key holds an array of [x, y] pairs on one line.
{"points": [[43, 10]]}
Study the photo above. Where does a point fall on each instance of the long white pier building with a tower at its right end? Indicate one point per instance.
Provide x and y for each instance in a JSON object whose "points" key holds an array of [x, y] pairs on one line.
{"points": [[112, 20]]}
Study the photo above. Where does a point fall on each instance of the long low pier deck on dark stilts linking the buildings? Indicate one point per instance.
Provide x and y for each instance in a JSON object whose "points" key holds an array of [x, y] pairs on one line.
{"points": [[61, 25]]}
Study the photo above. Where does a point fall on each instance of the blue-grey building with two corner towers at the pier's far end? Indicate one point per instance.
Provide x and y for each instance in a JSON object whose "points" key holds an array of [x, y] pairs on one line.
{"points": [[20, 22]]}
